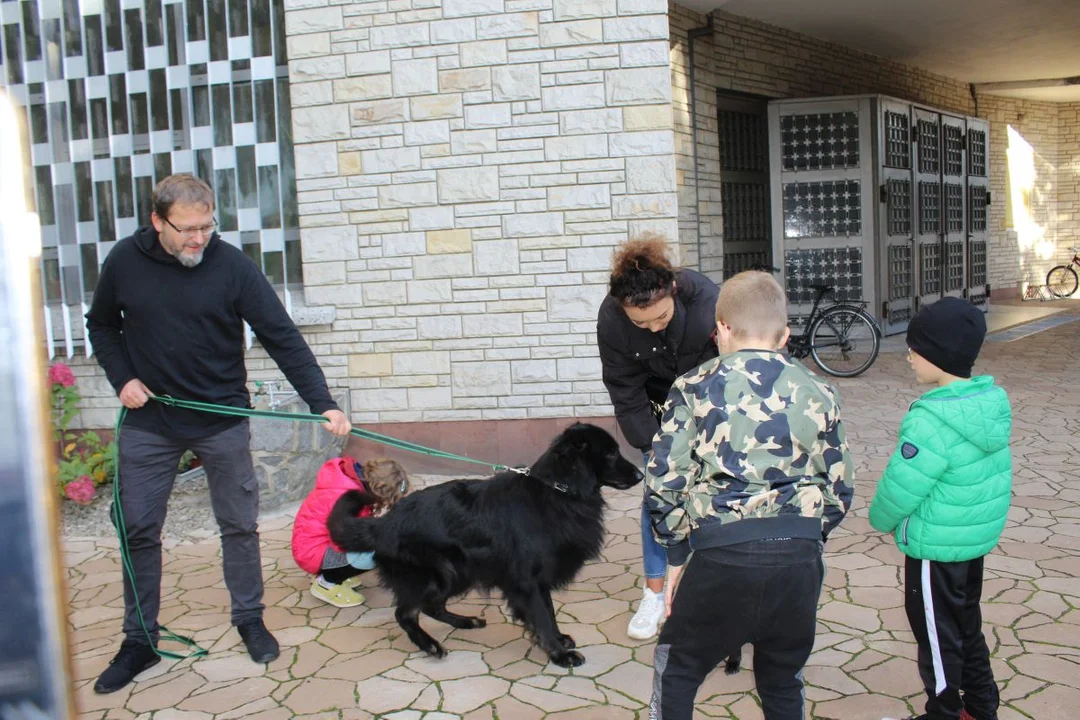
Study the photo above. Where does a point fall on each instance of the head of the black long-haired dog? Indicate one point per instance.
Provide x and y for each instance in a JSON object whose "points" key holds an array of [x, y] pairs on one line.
{"points": [[584, 458]]}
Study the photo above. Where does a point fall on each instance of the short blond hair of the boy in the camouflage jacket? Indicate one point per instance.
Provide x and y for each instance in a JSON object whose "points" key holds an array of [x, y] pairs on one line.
{"points": [[753, 305]]}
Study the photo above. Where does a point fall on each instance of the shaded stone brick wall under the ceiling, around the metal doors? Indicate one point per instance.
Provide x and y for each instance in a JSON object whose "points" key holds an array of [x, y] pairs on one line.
{"points": [[748, 57]]}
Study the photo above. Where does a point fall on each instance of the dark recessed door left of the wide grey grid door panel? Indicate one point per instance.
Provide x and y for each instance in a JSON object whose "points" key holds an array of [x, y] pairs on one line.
{"points": [[744, 130]]}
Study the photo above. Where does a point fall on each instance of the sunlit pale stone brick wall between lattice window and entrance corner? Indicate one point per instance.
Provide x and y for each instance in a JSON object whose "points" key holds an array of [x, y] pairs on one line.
{"points": [[465, 170]]}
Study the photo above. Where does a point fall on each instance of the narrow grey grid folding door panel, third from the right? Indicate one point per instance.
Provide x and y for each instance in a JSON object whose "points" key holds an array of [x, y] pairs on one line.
{"points": [[929, 208]]}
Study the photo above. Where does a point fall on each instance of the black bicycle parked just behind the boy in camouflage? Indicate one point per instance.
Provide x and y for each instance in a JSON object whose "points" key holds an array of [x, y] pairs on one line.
{"points": [[843, 338]]}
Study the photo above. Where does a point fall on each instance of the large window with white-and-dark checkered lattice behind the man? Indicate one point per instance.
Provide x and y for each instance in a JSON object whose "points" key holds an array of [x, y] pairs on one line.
{"points": [[120, 93]]}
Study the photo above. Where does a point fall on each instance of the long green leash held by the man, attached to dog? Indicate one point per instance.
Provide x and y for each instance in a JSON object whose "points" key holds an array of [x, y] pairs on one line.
{"points": [[118, 514]]}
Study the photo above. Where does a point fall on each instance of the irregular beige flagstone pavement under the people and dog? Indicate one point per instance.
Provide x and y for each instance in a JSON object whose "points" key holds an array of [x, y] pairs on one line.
{"points": [[357, 663]]}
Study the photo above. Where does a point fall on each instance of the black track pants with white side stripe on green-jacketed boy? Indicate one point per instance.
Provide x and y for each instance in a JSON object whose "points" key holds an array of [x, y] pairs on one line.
{"points": [[942, 602]]}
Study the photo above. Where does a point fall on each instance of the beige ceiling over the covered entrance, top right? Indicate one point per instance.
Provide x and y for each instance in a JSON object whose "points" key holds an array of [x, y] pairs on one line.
{"points": [[979, 42]]}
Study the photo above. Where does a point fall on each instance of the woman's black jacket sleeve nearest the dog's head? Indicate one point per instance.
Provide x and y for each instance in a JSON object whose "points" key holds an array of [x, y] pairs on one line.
{"points": [[626, 381]]}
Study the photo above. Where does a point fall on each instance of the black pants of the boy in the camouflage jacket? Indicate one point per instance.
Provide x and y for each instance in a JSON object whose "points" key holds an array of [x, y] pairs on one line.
{"points": [[764, 593]]}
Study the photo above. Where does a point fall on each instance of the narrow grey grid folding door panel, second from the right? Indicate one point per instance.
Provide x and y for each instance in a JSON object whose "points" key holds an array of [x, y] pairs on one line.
{"points": [[954, 208]]}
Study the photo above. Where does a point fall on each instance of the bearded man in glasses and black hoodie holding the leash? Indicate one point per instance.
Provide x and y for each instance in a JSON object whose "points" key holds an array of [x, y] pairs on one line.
{"points": [[168, 319]]}
